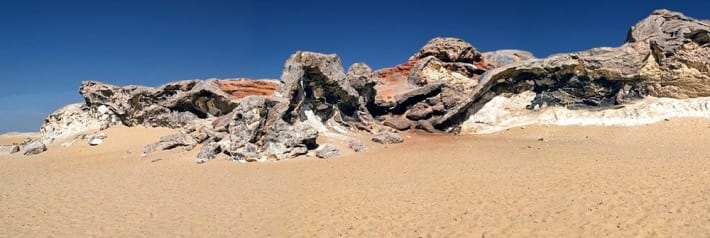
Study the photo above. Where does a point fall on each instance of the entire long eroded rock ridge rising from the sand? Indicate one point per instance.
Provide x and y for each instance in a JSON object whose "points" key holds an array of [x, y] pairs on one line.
{"points": [[662, 70]]}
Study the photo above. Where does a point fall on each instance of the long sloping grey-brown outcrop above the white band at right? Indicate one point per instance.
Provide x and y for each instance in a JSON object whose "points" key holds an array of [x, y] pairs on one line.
{"points": [[664, 56]]}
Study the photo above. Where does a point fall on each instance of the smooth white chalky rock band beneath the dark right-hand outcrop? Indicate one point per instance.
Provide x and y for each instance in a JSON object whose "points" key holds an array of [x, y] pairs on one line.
{"points": [[502, 112]]}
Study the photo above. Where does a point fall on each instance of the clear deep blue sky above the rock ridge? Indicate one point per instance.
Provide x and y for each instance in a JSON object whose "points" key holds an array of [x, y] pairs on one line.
{"points": [[48, 47]]}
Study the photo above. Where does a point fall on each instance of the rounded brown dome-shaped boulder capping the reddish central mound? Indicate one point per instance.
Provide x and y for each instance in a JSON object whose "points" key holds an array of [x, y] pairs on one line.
{"points": [[449, 50]]}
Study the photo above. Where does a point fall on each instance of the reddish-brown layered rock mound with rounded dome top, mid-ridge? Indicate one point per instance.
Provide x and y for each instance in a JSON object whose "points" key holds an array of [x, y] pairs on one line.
{"points": [[442, 74]]}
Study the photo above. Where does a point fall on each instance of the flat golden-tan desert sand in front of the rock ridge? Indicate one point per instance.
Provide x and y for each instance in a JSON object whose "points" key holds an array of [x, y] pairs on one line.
{"points": [[651, 180]]}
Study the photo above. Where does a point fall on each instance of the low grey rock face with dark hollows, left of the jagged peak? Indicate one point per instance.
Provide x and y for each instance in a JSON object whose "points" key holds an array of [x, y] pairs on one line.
{"points": [[166, 106]]}
